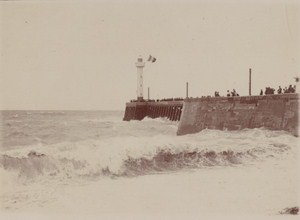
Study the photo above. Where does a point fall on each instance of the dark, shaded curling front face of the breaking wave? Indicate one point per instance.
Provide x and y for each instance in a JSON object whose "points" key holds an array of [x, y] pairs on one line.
{"points": [[164, 160]]}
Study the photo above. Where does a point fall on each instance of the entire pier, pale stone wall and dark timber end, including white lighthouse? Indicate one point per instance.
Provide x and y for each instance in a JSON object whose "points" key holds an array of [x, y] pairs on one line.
{"points": [[273, 112]]}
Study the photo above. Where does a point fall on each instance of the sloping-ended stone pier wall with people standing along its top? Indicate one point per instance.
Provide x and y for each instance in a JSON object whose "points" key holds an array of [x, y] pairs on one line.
{"points": [[274, 112]]}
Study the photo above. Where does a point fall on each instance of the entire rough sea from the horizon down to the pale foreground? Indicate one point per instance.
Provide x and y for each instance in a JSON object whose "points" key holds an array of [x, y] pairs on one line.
{"points": [[93, 162]]}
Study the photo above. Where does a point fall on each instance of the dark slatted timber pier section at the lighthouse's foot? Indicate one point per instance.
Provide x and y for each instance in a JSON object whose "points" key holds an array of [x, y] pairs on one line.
{"points": [[139, 110]]}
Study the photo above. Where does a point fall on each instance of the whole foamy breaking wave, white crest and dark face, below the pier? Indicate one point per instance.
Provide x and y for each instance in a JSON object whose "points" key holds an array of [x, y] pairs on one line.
{"points": [[133, 156]]}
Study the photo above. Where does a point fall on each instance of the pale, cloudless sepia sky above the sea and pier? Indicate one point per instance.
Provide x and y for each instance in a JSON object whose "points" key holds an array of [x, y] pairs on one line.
{"points": [[80, 55]]}
